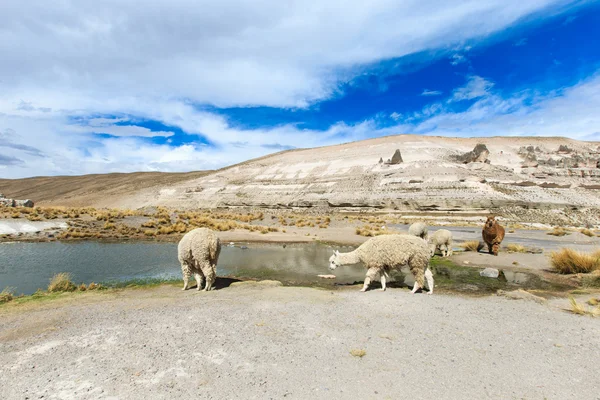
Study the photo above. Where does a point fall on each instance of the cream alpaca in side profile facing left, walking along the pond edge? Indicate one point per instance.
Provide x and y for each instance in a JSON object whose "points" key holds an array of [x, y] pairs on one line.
{"points": [[383, 253]]}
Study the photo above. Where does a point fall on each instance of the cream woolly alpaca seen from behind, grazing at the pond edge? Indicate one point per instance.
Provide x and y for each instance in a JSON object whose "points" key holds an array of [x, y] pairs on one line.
{"points": [[198, 252]]}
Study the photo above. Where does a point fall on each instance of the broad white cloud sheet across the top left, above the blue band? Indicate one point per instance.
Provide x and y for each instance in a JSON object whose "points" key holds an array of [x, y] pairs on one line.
{"points": [[231, 52]]}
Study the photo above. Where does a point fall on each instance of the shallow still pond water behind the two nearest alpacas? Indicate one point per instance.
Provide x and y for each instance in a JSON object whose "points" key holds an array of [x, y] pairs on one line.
{"points": [[29, 266]]}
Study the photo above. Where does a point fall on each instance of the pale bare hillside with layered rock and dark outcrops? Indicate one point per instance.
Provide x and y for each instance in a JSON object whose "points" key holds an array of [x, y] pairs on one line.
{"points": [[434, 173]]}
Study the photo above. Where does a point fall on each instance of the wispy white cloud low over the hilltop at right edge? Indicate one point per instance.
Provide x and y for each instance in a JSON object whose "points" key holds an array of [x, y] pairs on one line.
{"points": [[570, 112]]}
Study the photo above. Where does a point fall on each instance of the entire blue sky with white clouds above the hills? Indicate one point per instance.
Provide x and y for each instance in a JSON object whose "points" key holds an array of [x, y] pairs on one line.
{"points": [[121, 86]]}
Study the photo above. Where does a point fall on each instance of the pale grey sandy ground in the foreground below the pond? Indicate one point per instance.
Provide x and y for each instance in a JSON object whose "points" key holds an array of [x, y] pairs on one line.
{"points": [[259, 340]]}
